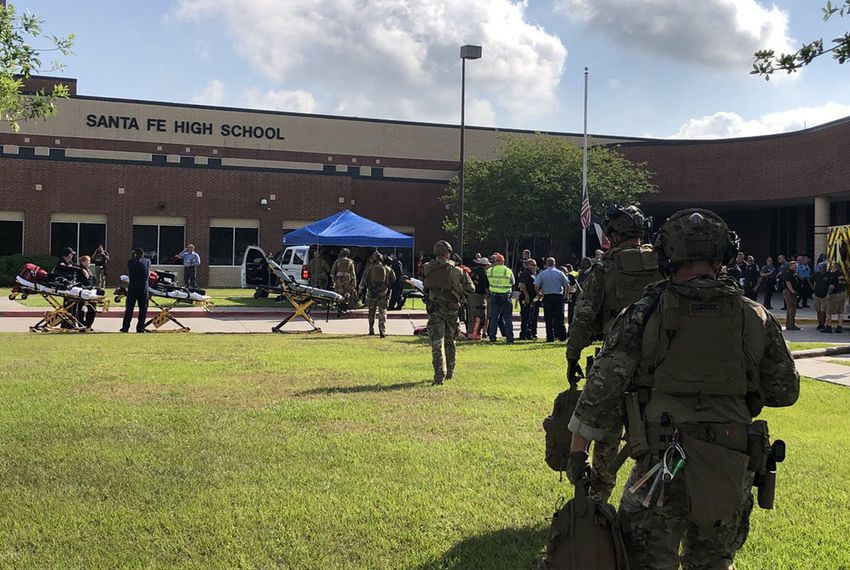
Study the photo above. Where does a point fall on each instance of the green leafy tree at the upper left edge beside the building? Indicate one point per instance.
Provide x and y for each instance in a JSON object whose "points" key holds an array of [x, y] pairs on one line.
{"points": [[19, 60]]}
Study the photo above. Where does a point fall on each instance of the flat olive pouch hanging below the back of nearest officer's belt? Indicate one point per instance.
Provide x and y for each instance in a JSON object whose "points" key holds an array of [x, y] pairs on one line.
{"points": [[714, 477]]}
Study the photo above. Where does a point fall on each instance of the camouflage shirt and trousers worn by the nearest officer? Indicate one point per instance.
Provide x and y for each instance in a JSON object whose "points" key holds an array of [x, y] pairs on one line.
{"points": [[652, 536]]}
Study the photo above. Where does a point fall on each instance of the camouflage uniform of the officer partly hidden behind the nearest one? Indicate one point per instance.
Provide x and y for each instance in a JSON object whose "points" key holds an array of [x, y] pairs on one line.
{"points": [[589, 323]]}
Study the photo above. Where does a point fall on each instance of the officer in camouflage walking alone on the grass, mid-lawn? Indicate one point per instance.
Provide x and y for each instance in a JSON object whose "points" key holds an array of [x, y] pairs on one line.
{"points": [[445, 287]]}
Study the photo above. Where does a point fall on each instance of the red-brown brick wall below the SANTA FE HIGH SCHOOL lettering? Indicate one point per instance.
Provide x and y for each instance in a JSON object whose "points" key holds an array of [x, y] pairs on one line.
{"points": [[92, 188]]}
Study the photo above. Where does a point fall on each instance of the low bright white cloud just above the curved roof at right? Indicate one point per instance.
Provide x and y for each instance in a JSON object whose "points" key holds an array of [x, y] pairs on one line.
{"points": [[729, 125]]}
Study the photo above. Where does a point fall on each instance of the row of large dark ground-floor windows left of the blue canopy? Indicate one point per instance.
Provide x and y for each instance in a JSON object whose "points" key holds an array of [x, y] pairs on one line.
{"points": [[161, 243]]}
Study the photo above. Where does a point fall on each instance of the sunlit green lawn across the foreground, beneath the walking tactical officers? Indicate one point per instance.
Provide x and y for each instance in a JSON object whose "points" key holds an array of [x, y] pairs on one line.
{"points": [[259, 451]]}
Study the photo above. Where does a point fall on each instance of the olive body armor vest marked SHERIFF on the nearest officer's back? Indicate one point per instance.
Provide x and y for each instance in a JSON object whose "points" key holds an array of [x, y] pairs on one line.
{"points": [[695, 346]]}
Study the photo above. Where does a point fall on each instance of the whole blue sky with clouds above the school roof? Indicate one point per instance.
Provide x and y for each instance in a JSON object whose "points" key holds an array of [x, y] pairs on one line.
{"points": [[663, 68]]}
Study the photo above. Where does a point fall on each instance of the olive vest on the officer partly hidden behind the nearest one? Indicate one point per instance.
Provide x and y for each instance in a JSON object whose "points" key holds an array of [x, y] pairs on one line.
{"points": [[627, 274]]}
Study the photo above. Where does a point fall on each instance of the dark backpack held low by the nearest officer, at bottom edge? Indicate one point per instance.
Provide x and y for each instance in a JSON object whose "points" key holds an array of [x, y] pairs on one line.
{"points": [[585, 536]]}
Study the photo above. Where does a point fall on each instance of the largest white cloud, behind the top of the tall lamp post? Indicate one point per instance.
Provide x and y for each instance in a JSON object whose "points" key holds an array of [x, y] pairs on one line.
{"points": [[396, 58]]}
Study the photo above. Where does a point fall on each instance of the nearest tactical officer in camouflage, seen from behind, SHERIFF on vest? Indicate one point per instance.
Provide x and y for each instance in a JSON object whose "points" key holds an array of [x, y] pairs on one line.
{"points": [[687, 368]]}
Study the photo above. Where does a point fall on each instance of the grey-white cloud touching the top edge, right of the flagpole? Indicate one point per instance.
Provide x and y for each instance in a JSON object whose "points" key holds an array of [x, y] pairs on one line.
{"points": [[717, 33]]}
